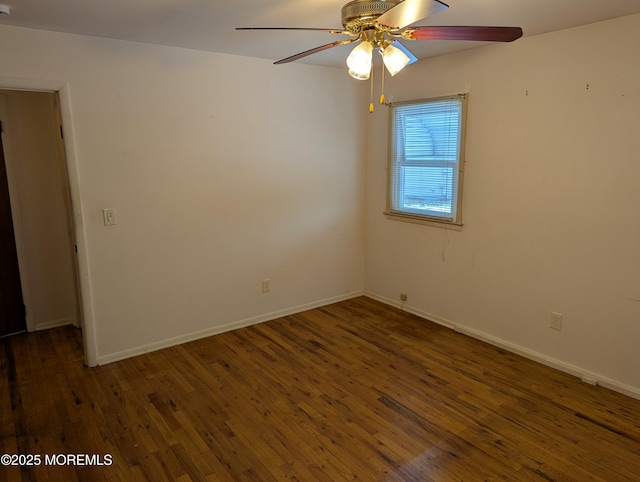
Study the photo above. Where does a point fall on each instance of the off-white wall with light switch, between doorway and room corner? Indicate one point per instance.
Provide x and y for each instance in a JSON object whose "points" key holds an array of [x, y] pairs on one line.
{"points": [[223, 170]]}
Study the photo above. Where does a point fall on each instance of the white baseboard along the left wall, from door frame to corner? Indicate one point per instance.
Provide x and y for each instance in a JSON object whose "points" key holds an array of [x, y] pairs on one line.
{"points": [[216, 330]]}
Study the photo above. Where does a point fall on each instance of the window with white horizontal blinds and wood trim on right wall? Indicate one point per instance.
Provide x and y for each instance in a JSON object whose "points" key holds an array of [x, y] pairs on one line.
{"points": [[426, 160]]}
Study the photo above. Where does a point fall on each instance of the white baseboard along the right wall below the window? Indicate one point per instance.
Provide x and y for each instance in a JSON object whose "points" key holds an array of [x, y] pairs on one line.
{"points": [[585, 375]]}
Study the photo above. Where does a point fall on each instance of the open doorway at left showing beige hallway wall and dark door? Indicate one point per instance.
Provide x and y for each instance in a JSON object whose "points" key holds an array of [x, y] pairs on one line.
{"points": [[39, 216]]}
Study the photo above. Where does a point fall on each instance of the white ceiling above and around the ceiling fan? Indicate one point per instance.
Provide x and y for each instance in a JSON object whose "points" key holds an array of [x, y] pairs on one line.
{"points": [[209, 24]]}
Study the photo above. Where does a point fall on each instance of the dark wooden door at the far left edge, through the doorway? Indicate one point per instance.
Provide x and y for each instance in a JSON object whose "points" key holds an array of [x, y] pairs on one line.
{"points": [[12, 314]]}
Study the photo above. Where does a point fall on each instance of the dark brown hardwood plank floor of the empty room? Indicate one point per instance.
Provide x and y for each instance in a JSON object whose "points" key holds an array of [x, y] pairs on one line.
{"points": [[354, 390]]}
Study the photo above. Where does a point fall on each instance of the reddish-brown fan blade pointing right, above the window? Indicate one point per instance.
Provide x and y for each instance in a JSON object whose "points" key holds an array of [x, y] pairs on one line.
{"points": [[482, 34]]}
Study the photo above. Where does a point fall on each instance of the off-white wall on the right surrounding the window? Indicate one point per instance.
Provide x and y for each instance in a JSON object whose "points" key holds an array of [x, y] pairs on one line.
{"points": [[551, 198]]}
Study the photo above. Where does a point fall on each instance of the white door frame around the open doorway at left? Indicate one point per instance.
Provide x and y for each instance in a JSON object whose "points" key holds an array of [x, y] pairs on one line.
{"points": [[61, 88]]}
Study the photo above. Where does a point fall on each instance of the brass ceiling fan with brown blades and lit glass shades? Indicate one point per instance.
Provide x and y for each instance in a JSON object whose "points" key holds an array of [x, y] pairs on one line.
{"points": [[379, 24]]}
